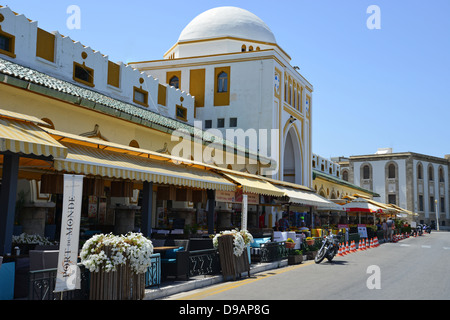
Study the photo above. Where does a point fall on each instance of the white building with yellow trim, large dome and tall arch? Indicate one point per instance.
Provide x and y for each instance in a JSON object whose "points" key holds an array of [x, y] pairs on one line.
{"points": [[243, 84]]}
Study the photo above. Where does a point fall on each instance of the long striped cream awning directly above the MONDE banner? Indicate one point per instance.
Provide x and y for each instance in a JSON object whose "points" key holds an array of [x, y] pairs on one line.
{"points": [[90, 161]]}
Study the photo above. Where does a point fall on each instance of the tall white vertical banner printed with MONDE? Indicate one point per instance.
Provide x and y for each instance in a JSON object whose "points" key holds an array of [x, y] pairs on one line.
{"points": [[68, 275]]}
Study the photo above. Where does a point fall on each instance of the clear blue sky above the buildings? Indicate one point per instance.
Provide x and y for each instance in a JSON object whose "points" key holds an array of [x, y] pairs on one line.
{"points": [[387, 87]]}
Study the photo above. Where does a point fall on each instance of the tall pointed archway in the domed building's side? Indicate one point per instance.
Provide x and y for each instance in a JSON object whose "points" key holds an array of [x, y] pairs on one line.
{"points": [[292, 160]]}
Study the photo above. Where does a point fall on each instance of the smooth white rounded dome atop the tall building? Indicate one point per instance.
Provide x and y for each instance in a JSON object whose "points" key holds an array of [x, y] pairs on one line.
{"points": [[227, 22]]}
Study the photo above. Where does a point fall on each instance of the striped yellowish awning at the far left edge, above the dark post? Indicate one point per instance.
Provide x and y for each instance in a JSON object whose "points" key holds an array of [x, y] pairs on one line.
{"points": [[26, 137]]}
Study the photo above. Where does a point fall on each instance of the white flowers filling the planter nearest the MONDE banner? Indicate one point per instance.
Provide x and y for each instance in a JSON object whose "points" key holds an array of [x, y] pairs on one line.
{"points": [[106, 252]]}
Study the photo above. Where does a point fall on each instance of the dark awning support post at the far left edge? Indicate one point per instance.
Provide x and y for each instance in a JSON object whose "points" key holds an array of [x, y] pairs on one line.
{"points": [[8, 201]]}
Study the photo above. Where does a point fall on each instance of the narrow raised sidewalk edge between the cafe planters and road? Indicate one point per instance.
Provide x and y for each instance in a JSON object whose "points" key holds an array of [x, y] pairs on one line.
{"points": [[169, 288]]}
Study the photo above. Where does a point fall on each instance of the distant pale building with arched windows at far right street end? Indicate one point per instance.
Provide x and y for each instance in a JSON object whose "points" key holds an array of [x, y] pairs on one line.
{"points": [[413, 181]]}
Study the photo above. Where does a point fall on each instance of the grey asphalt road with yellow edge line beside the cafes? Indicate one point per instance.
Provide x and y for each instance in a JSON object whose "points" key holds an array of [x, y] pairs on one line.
{"points": [[411, 269]]}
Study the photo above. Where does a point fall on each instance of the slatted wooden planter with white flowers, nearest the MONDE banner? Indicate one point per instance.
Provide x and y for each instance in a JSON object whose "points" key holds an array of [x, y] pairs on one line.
{"points": [[117, 265]]}
